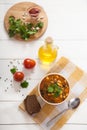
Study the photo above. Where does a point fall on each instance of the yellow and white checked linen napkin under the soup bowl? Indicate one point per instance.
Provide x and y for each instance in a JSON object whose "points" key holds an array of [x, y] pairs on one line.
{"points": [[77, 79]]}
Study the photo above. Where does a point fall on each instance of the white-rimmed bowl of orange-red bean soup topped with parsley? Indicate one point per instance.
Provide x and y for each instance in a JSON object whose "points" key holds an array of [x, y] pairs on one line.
{"points": [[53, 89]]}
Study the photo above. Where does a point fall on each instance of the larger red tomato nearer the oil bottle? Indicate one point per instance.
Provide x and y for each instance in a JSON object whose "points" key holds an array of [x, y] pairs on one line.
{"points": [[29, 63]]}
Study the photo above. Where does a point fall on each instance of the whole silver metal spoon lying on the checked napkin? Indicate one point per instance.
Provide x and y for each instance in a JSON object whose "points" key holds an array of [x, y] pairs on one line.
{"points": [[72, 104]]}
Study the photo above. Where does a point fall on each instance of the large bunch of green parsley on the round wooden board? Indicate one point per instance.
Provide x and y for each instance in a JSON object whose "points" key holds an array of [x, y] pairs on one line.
{"points": [[24, 30]]}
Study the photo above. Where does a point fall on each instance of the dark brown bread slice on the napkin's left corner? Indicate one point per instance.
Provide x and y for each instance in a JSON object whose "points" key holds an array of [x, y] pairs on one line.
{"points": [[31, 104]]}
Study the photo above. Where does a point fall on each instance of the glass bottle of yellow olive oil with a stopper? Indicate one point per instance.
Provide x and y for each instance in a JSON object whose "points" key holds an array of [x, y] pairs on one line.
{"points": [[47, 53]]}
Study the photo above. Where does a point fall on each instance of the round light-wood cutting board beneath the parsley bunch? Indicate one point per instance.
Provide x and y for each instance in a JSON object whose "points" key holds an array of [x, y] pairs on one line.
{"points": [[18, 10]]}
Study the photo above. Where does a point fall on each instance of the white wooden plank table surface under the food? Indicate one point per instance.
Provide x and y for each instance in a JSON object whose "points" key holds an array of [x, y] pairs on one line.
{"points": [[68, 27]]}
